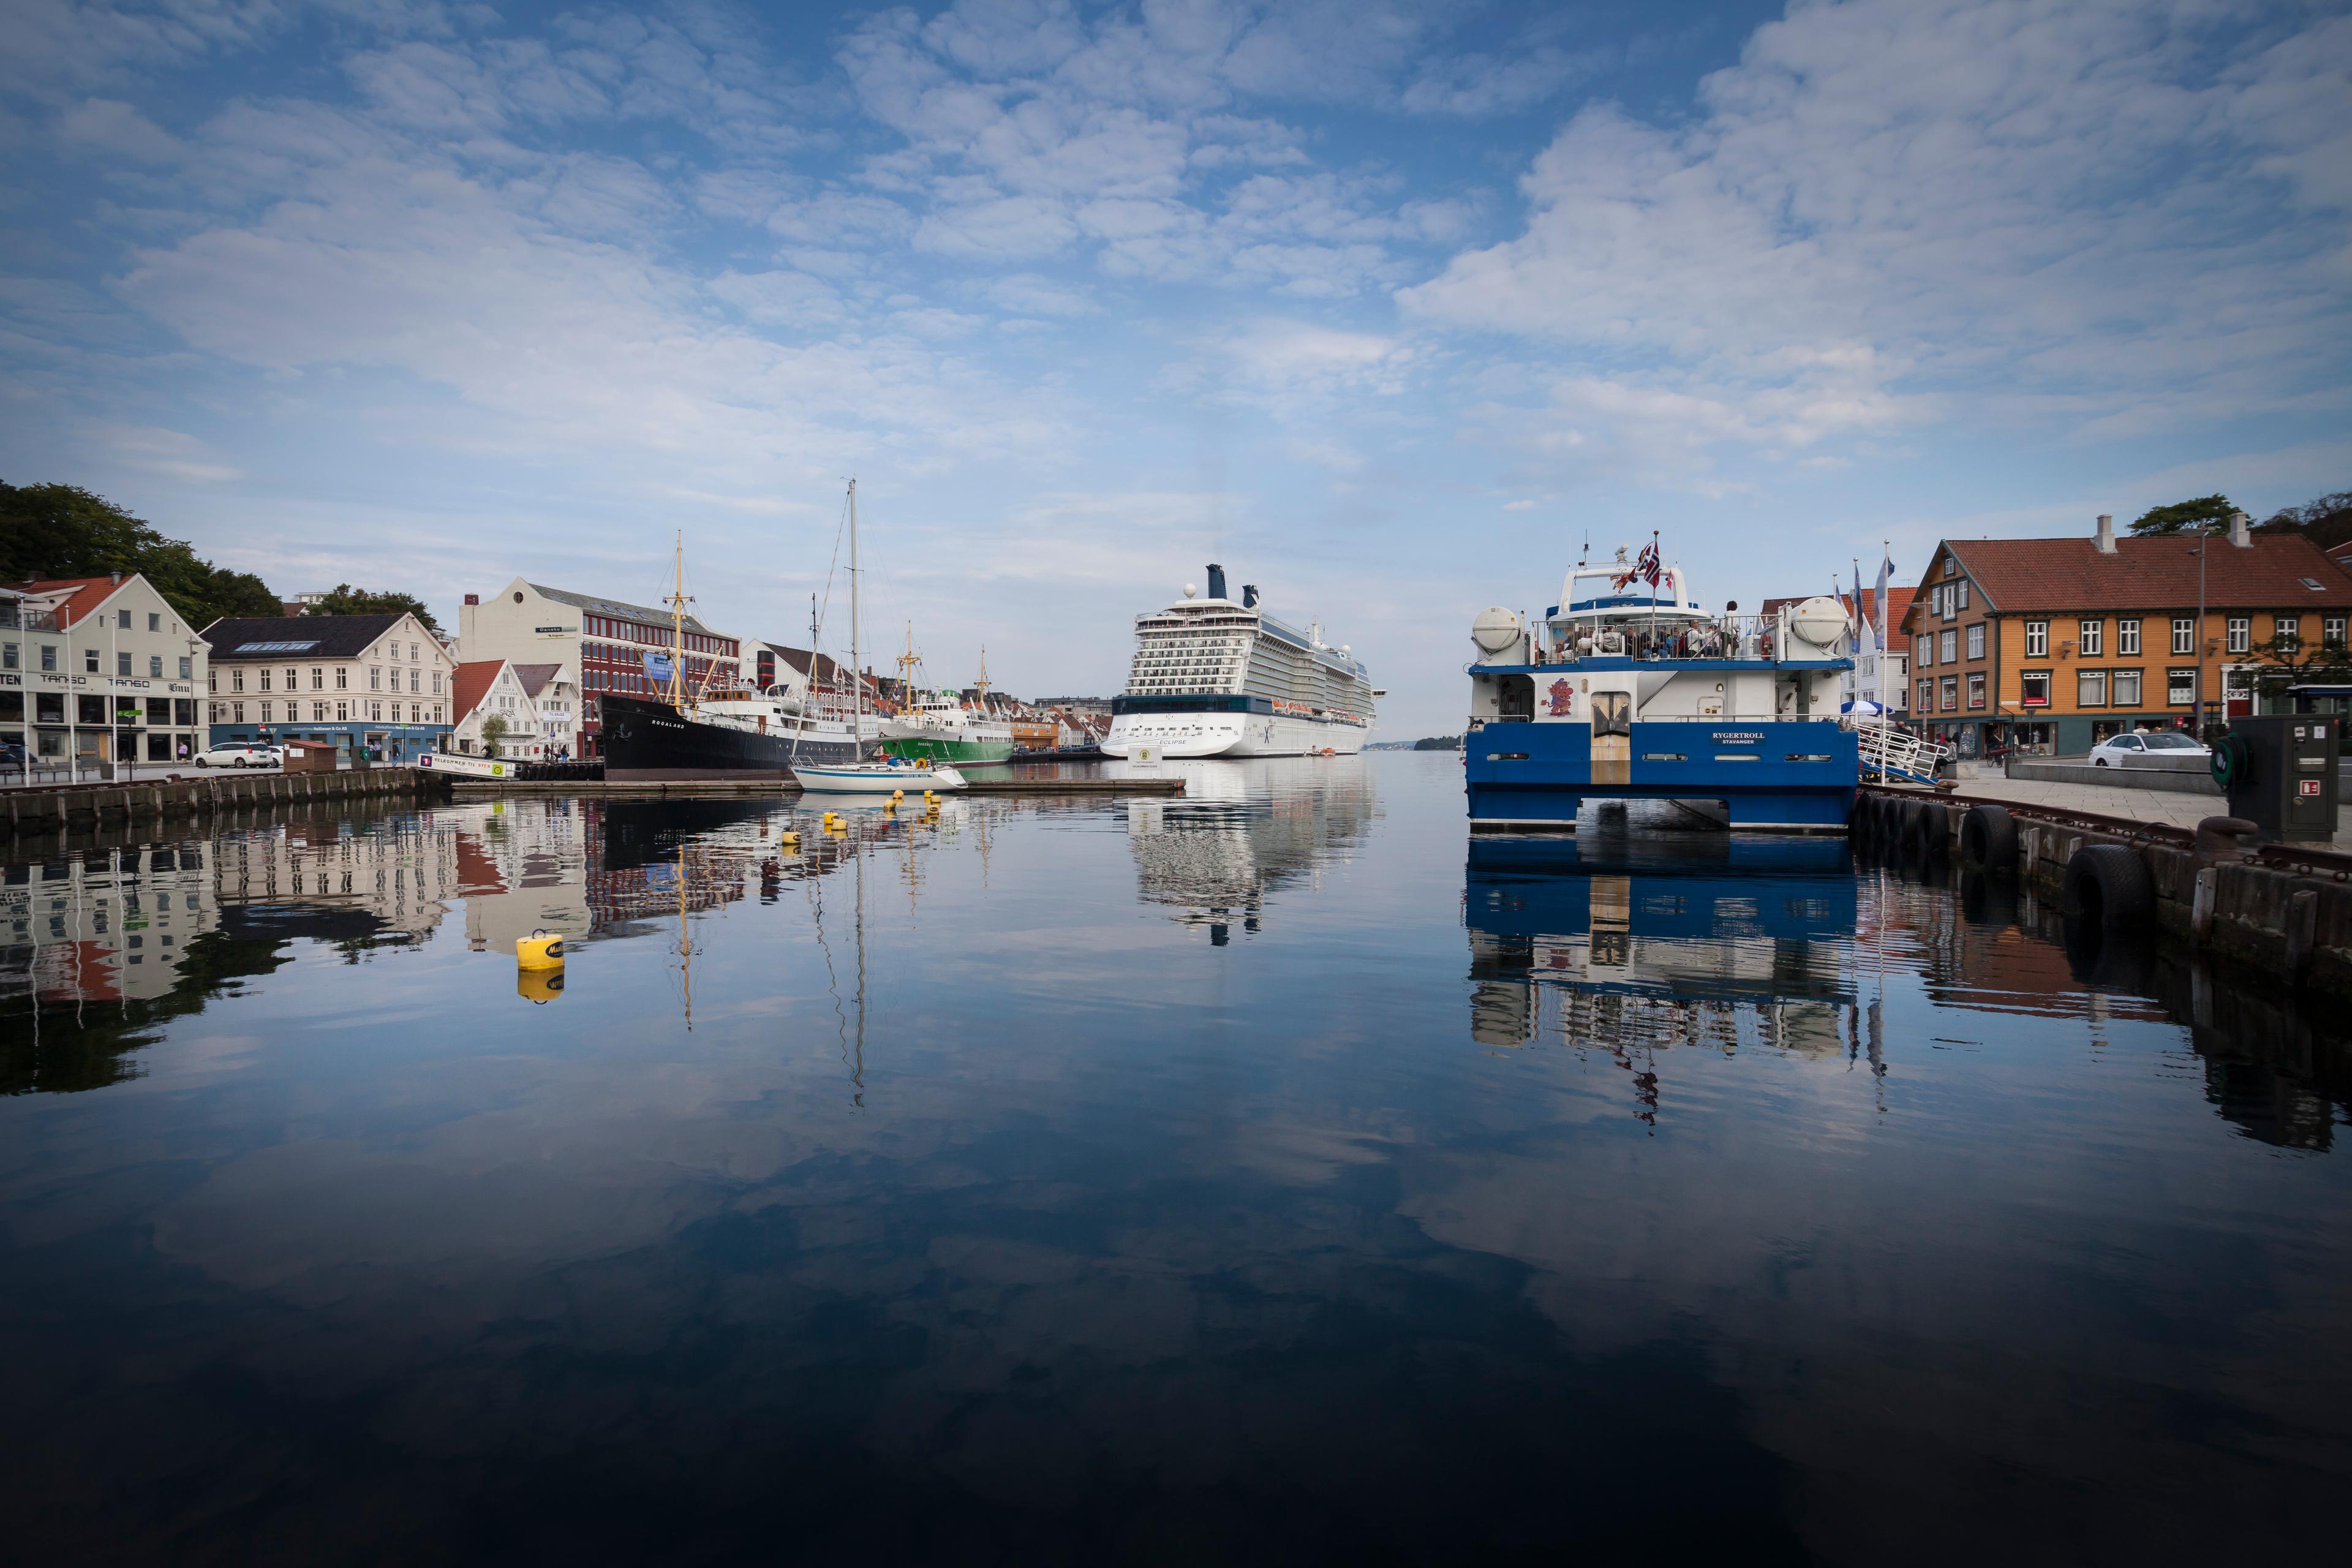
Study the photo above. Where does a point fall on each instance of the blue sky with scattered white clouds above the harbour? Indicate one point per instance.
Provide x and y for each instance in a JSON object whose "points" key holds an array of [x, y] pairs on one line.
{"points": [[1394, 309]]}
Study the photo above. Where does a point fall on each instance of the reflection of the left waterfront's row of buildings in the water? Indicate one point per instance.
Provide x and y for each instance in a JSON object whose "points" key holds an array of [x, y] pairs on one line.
{"points": [[112, 937]]}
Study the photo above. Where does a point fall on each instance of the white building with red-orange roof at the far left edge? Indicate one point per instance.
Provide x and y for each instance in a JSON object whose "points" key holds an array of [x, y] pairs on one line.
{"points": [[98, 671]]}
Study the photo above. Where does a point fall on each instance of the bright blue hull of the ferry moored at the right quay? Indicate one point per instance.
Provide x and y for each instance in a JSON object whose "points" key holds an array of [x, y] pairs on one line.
{"points": [[1791, 777]]}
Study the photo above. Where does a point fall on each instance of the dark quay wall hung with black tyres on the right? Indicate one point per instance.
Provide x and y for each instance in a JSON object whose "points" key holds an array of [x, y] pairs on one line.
{"points": [[2283, 909]]}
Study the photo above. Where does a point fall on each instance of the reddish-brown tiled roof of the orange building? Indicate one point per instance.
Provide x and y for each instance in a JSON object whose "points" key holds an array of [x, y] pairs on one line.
{"points": [[2151, 572]]}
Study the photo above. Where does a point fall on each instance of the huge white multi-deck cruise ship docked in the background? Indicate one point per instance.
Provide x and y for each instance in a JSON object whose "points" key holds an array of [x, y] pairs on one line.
{"points": [[1222, 678]]}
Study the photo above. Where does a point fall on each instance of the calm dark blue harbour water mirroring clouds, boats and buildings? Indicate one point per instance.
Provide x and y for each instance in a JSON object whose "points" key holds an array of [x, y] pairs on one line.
{"points": [[1267, 1174]]}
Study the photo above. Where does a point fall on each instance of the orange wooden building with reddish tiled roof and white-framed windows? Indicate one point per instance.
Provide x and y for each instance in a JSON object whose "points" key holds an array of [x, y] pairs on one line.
{"points": [[2052, 645]]}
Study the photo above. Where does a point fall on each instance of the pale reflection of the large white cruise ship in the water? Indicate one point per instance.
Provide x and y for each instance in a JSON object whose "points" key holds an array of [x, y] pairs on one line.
{"points": [[1245, 831]]}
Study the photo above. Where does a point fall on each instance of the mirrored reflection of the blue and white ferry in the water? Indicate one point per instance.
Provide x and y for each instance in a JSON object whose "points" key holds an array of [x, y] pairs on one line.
{"points": [[1636, 944]]}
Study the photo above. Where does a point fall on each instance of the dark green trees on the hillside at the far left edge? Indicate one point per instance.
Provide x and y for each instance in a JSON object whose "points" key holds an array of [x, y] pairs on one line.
{"points": [[62, 530]]}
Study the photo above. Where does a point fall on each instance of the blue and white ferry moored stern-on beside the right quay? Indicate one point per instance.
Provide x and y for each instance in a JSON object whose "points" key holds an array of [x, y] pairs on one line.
{"points": [[1629, 690]]}
